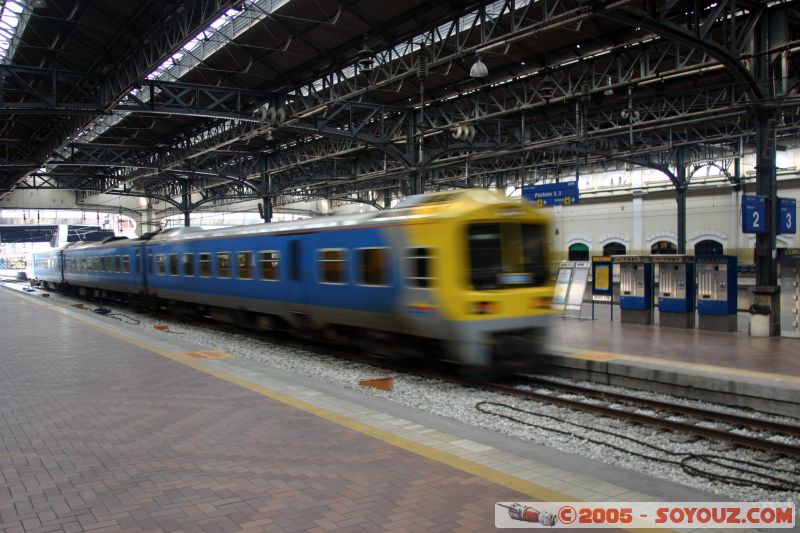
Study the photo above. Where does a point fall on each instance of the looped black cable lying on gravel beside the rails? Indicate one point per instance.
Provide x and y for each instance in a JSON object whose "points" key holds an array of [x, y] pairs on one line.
{"points": [[781, 483]]}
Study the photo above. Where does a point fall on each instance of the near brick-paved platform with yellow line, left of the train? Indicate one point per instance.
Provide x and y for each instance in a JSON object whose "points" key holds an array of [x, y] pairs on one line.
{"points": [[105, 429]]}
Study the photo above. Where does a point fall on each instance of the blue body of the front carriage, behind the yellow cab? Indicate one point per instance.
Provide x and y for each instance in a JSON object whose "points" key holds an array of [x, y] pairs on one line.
{"points": [[299, 275]]}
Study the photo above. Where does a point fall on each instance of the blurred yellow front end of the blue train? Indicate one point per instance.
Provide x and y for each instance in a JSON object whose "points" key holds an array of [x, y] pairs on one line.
{"points": [[477, 266]]}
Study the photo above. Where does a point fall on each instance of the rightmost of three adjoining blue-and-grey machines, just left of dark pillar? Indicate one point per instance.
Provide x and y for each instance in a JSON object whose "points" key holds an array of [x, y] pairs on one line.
{"points": [[716, 292]]}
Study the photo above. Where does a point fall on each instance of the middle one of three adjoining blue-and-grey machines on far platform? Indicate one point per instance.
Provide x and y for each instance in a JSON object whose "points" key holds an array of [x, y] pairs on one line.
{"points": [[675, 290]]}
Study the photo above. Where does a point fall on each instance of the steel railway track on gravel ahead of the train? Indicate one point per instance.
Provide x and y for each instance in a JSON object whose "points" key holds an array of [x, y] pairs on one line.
{"points": [[622, 406]]}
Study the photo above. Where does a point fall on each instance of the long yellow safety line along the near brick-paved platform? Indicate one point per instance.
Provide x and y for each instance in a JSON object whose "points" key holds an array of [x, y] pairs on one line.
{"points": [[531, 489]]}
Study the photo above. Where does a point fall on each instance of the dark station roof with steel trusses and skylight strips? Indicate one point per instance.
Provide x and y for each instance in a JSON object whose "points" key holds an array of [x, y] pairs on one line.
{"points": [[206, 102]]}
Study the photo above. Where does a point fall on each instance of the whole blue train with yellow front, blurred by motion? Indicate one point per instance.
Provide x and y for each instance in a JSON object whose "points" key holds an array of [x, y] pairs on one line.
{"points": [[460, 276]]}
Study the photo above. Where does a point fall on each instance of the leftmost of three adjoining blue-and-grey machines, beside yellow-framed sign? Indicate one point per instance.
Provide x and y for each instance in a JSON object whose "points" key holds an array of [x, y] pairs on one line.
{"points": [[635, 288]]}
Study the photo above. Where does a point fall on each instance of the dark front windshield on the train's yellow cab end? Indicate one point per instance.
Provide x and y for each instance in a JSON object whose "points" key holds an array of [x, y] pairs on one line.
{"points": [[506, 255]]}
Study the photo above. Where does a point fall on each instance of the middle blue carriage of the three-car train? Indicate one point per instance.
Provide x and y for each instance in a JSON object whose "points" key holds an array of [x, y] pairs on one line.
{"points": [[112, 267]]}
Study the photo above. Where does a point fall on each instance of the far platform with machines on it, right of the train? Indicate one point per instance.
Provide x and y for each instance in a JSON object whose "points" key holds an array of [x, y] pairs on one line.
{"points": [[761, 373]]}
